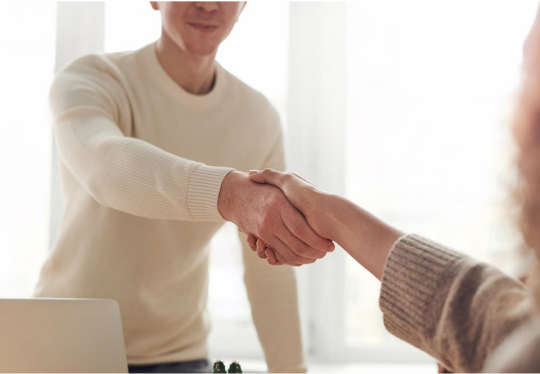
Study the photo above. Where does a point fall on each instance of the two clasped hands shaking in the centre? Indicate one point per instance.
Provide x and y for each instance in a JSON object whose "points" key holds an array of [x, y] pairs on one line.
{"points": [[282, 213]]}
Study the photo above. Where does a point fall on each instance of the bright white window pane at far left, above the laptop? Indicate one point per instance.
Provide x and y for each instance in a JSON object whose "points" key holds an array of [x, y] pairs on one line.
{"points": [[26, 70]]}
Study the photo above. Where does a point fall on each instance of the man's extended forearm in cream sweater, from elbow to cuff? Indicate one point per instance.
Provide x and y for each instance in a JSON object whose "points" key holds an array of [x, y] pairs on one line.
{"points": [[134, 176]]}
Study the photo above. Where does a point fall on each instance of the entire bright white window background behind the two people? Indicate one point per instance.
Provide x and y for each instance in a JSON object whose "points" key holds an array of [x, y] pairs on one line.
{"points": [[402, 107]]}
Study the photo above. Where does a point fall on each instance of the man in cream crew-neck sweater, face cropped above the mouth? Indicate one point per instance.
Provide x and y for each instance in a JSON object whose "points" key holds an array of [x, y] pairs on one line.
{"points": [[150, 143]]}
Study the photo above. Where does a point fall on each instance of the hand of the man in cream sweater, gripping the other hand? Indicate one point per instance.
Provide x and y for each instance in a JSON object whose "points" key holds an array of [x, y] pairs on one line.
{"points": [[263, 211]]}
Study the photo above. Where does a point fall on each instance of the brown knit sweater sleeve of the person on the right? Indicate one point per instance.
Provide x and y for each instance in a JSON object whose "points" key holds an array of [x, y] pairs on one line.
{"points": [[449, 305]]}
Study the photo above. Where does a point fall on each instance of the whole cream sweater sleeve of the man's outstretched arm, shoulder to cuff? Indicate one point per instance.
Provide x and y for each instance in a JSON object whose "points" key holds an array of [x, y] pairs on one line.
{"points": [[119, 171]]}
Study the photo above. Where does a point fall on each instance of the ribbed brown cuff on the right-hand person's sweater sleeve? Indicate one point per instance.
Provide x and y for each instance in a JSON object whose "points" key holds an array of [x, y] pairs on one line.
{"points": [[416, 273]]}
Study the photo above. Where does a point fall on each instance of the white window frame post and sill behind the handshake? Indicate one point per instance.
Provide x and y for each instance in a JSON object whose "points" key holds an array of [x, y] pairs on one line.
{"points": [[317, 121]]}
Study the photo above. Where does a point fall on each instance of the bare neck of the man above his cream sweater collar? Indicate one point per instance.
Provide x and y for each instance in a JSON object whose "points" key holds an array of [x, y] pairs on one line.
{"points": [[194, 74]]}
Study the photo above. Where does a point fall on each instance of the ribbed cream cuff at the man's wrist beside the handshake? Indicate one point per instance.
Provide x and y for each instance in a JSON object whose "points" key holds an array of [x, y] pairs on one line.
{"points": [[203, 192]]}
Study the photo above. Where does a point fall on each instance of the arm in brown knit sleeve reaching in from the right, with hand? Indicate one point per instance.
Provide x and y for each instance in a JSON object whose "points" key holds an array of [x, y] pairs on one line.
{"points": [[447, 304]]}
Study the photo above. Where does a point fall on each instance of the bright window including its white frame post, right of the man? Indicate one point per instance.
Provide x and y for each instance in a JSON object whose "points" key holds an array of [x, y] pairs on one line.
{"points": [[403, 107]]}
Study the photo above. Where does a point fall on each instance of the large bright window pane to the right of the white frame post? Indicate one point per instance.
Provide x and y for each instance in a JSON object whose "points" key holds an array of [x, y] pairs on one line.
{"points": [[430, 89]]}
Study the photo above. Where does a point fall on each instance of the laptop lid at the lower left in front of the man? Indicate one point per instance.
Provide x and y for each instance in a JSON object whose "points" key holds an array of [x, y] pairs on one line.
{"points": [[61, 336]]}
